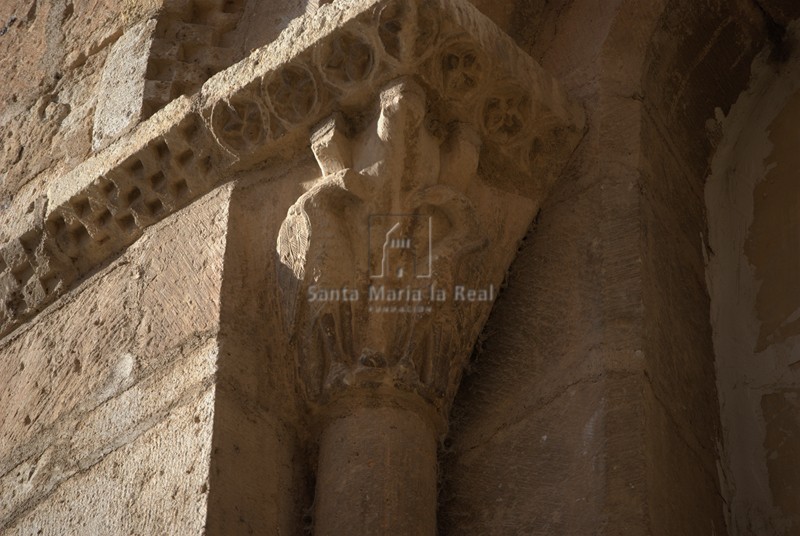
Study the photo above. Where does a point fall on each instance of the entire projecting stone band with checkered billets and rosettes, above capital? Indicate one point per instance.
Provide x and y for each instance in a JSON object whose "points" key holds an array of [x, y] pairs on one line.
{"points": [[337, 60]]}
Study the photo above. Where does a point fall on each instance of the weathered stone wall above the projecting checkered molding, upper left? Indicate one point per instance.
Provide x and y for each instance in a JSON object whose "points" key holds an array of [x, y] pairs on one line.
{"points": [[79, 75]]}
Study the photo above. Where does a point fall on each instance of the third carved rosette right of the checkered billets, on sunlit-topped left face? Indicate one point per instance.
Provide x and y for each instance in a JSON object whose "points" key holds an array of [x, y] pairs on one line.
{"points": [[347, 60]]}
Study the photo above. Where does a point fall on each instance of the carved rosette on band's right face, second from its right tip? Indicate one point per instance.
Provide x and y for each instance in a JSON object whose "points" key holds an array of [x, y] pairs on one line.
{"points": [[506, 114]]}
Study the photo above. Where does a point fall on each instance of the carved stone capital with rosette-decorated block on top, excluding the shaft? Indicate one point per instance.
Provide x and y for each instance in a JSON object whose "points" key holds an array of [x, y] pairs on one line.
{"points": [[389, 264]]}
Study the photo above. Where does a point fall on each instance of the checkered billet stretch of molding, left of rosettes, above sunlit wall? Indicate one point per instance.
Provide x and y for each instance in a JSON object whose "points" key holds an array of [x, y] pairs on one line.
{"points": [[102, 219]]}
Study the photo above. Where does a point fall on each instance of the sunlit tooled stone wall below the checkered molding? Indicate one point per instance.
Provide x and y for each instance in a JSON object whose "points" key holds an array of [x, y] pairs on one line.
{"points": [[108, 397]]}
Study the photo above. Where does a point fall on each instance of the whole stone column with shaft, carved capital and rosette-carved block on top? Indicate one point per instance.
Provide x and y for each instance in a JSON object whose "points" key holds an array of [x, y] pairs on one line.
{"points": [[388, 263]]}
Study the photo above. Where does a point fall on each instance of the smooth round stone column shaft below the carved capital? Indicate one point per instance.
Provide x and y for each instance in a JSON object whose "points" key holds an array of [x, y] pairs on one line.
{"points": [[377, 473]]}
